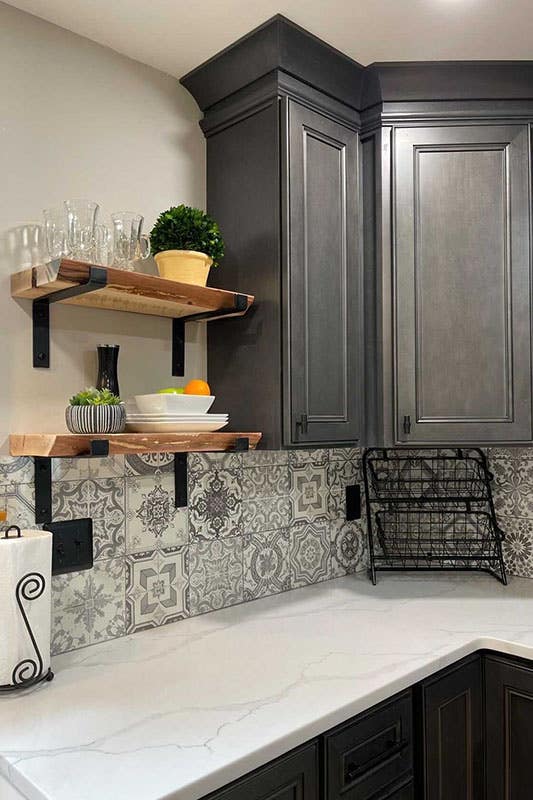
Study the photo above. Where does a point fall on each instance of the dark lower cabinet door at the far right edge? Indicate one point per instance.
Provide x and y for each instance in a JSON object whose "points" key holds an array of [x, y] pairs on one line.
{"points": [[509, 730]]}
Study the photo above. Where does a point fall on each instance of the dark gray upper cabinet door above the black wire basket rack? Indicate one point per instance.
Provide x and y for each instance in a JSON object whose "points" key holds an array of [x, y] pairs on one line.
{"points": [[462, 283]]}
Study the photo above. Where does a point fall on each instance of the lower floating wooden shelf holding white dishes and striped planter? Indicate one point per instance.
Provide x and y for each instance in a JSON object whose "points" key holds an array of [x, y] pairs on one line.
{"points": [[47, 445]]}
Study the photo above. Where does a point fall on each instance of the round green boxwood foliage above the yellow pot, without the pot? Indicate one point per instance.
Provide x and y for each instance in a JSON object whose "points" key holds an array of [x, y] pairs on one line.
{"points": [[186, 228]]}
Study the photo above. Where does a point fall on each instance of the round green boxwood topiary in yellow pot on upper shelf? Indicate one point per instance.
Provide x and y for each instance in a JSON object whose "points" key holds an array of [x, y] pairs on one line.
{"points": [[185, 243]]}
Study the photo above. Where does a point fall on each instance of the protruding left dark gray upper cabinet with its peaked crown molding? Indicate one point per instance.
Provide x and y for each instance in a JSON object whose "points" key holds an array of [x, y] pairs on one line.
{"points": [[283, 183]]}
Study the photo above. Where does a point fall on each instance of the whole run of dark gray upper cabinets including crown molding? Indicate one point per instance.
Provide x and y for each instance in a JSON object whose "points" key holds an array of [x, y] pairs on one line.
{"points": [[381, 216]]}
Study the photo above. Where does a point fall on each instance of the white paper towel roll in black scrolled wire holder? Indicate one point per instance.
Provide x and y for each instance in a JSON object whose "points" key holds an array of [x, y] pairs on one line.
{"points": [[25, 605]]}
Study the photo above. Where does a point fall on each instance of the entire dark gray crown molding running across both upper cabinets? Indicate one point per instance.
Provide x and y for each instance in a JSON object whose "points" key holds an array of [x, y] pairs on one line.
{"points": [[280, 50]]}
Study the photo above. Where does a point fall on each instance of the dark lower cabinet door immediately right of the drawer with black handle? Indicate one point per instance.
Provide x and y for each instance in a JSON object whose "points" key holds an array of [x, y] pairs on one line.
{"points": [[453, 734]]}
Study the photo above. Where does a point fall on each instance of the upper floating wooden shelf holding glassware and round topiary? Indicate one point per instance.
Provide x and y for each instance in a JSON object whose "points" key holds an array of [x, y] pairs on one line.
{"points": [[124, 291]]}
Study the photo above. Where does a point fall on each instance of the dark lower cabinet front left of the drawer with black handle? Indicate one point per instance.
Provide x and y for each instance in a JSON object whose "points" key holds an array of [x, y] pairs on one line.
{"points": [[292, 777]]}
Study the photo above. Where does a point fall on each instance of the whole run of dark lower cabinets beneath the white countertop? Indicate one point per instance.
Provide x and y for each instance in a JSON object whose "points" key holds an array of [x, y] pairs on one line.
{"points": [[466, 733]]}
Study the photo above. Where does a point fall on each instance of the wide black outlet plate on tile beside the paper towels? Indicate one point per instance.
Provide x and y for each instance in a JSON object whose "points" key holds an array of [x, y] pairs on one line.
{"points": [[72, 548]]}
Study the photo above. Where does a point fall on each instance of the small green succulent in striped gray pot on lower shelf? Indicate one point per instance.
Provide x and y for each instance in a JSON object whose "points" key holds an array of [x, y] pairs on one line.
{"points": [[95, 411]]}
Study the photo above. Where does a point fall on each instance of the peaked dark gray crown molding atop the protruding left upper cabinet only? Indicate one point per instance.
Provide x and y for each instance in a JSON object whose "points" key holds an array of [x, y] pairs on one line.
{"points": [[278, 44]]}
